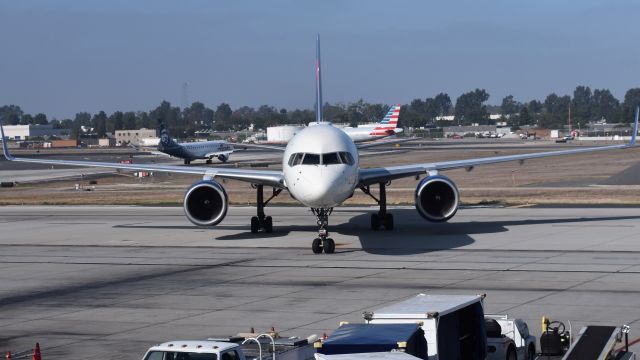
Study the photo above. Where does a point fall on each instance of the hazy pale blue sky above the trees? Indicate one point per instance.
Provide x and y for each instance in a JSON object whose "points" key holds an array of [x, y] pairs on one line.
{"points": [[61, 57]]}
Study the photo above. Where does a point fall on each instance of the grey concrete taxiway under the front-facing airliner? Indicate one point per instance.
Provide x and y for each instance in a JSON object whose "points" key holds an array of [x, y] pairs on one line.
{"points": [[112, 281]]}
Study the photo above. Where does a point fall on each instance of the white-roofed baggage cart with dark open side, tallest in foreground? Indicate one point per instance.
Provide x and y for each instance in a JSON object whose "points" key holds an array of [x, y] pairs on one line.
{"points": [[453, 325]]}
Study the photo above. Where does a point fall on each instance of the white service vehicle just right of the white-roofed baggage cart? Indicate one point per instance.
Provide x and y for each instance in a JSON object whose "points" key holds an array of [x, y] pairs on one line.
{"points": [[509, 339]]}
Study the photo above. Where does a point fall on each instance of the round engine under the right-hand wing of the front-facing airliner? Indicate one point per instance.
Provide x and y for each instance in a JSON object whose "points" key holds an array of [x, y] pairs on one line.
{"points": [[437, 198]]}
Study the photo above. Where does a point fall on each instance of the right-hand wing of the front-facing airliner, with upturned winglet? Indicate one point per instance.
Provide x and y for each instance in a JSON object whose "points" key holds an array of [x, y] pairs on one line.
{"points": [[384, 174]]}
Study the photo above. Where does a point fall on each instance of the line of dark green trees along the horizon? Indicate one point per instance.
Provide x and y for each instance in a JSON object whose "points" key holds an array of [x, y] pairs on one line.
{"points": [[470, 108]]}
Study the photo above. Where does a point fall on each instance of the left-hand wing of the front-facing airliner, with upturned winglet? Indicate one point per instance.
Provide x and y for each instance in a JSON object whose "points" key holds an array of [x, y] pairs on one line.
{"points": [[254, 176]]}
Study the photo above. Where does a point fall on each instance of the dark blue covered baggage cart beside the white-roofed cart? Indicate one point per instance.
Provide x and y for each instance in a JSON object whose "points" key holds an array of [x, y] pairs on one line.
{"points": [[365, 338]]}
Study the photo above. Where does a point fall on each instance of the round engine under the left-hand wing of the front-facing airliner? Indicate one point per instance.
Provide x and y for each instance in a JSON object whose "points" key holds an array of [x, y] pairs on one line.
{"points": [[206, 203]]}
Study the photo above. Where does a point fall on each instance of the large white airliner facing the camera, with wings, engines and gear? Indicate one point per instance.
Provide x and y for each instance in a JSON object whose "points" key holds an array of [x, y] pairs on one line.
{"points": [[320, 169]]}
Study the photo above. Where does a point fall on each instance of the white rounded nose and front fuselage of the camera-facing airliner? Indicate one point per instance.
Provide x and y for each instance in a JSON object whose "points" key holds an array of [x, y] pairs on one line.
{"points": [[321, 186]]}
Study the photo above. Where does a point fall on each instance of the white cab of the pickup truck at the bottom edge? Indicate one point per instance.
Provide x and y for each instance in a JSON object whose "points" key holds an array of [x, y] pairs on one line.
{"points": [[195, 350]]}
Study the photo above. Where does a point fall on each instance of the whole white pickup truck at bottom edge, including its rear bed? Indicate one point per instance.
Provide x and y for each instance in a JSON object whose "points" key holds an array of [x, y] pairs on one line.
{"points": [[223, 350]]}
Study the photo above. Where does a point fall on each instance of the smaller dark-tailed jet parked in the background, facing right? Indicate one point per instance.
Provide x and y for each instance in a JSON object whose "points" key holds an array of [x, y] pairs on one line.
{"points": [[194, 150]]}
